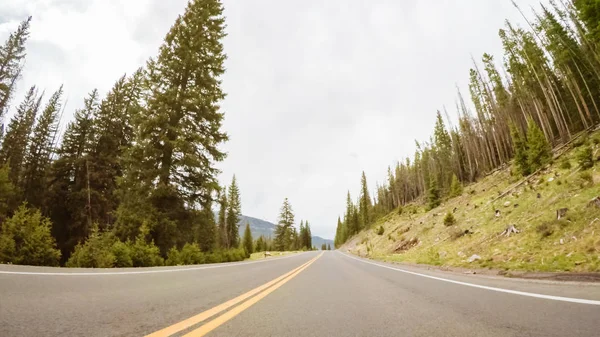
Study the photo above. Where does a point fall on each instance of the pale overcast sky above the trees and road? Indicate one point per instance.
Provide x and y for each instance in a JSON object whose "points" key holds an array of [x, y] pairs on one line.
{"points": [[318, 91]]}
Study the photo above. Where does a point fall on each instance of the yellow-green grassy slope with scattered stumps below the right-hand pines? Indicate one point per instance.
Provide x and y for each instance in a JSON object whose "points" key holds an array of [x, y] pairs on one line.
{"points": [[536, 248]]}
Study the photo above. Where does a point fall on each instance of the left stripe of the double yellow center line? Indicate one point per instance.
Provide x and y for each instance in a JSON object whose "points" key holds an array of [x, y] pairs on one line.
{"points": [[217, 309]]}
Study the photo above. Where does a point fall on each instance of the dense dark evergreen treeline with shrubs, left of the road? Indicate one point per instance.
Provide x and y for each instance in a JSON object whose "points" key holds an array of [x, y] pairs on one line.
{"points": [[132, 181]]}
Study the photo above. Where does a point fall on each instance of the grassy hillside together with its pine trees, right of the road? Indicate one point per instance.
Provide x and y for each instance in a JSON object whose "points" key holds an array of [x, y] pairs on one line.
{"points": [[486, 190]]}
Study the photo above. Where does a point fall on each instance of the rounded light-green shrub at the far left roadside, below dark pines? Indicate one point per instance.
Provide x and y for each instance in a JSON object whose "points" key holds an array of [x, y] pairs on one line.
{"points": [[25, 239]]}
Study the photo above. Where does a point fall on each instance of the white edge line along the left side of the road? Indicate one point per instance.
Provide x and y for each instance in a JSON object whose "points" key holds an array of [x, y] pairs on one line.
{"points": [[212, 266]]}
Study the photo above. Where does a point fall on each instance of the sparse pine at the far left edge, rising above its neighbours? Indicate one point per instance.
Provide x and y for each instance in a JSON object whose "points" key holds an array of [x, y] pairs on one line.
{"points": [[12, 54]]}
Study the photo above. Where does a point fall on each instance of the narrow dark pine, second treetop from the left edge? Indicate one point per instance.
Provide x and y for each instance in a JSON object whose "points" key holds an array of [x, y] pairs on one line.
{"points": [[14, 144]]}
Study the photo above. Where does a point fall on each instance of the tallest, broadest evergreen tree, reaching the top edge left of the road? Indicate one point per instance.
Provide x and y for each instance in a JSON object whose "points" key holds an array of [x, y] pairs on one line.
{"points": [[171, 167]]}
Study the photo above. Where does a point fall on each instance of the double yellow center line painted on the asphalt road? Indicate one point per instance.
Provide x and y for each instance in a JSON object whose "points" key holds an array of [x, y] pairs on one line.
{"points": [[250, 298]]}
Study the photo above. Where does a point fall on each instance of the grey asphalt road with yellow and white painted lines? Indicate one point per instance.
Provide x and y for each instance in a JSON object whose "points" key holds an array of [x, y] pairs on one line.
{"points": [[309, 294]]}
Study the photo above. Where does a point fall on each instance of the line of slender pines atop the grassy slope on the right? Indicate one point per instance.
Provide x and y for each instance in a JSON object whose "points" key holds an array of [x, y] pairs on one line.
{"points": [[545, 91]]}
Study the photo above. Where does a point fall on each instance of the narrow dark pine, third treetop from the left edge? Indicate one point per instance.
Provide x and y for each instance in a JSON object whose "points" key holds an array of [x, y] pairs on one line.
{"points": [[41, 147]]}
